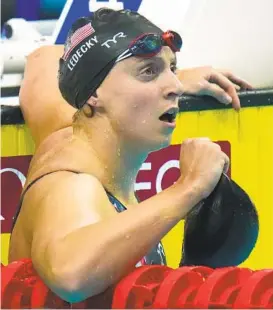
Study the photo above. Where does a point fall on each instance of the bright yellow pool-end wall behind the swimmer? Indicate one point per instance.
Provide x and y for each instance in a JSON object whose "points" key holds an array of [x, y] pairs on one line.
{"points": [[250, 133]]}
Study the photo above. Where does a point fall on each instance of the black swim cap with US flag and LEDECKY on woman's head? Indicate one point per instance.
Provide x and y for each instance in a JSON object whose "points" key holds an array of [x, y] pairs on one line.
{"points": [[92, 47]]}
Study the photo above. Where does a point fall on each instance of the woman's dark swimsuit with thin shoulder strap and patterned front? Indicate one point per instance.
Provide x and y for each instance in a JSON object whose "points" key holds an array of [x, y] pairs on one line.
{"points": [[155, 257]]}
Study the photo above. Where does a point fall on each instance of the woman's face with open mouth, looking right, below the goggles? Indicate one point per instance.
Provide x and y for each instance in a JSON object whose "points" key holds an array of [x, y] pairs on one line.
{"points": [[135, 96]]}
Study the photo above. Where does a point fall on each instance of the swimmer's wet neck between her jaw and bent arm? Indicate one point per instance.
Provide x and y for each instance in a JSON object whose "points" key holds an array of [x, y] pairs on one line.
{"points": [[115, 162]]}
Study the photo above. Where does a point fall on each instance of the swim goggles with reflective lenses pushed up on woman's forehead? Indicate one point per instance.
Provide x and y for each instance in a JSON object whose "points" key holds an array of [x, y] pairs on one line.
{"points": [[150, 44]]}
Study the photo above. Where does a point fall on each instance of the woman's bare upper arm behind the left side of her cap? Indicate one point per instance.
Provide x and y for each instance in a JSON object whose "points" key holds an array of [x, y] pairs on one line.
{"points": [[44, 109]]}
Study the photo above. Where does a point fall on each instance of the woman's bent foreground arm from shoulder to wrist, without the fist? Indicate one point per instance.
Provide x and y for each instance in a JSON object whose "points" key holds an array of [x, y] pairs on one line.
{"points": [[81, 245]]}
